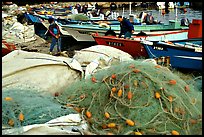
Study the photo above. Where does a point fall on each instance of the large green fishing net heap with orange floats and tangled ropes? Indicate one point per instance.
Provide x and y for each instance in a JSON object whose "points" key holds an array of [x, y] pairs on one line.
{"points": [[136, 97]]}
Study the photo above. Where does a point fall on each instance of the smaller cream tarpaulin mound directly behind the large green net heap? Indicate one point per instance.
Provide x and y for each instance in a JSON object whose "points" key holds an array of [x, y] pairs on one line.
{"points": [[99, 56]]}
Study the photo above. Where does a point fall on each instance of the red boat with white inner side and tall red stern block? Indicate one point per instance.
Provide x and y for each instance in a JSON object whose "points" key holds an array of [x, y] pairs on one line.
{"points": [[136, 49]]}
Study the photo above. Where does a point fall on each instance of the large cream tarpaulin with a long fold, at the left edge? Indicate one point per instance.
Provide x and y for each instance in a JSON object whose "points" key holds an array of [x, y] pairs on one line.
{"points": [[46, 73]]}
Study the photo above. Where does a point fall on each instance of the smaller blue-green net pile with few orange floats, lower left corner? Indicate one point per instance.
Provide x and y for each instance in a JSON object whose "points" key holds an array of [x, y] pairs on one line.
{"points": [[26, 107]]}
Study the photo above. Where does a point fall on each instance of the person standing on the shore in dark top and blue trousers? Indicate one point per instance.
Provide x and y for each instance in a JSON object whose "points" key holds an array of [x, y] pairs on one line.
{"points": [[55, 32]]}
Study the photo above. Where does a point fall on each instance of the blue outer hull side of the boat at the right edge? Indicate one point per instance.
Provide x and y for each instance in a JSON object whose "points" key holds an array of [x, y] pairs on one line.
{"points": [[180, 57]]}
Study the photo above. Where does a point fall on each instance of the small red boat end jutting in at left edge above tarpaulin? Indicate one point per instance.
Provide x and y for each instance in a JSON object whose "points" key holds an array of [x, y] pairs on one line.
{"points": [[7, 47]]}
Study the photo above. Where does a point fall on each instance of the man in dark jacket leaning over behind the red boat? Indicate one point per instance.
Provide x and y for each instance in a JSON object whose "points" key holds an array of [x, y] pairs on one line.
{"points": [[126, 28]]}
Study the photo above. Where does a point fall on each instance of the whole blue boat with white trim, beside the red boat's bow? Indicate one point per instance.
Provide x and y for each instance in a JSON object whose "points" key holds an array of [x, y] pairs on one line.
{"points": [[184, 54]]}
